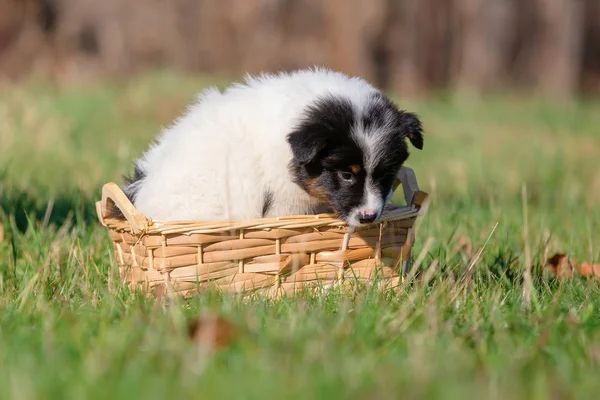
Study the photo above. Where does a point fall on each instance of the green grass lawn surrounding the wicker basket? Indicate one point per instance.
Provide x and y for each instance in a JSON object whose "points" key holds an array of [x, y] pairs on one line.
{"points": [[69, 330]]}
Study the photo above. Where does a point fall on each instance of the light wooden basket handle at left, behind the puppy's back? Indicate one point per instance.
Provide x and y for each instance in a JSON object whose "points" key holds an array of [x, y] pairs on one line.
{"points": [[112, 195]]}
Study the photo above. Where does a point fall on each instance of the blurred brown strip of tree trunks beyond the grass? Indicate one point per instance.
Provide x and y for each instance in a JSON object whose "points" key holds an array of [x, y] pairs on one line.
{"points": [[548, 47]]}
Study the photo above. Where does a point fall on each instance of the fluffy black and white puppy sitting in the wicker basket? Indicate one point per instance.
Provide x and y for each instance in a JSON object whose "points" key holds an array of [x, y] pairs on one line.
{"points": [[296, 143]]}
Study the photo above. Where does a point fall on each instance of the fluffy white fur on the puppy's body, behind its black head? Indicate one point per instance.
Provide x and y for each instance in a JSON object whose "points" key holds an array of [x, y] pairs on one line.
{"points": [[218, 160]]}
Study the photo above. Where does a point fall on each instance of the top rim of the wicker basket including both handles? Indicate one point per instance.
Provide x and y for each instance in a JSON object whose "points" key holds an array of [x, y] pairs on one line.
{"points": [[137, 223]]}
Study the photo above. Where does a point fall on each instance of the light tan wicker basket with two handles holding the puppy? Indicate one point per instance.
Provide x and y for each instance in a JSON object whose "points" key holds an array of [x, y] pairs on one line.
{"points": [[273, 256]]}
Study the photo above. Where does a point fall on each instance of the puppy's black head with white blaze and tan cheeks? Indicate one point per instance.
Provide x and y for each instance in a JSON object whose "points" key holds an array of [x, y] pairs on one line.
{"points": [[348, 155]]}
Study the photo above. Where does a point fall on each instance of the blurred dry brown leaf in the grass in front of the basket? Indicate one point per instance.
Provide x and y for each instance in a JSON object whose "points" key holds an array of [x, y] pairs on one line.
{"points": [[211, 331]]}
